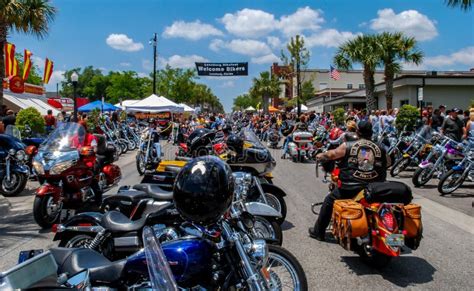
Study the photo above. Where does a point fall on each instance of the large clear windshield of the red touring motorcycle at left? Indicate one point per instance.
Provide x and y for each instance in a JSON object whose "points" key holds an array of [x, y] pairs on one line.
{"points": [[67, 137]]}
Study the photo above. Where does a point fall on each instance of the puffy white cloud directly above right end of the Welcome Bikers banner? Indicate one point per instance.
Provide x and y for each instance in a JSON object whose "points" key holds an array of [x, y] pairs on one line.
{"points": [[249, 23]]}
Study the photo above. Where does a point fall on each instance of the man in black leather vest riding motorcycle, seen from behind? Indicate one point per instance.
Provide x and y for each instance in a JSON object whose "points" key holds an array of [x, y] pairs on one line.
{"points": [[361, 162]]}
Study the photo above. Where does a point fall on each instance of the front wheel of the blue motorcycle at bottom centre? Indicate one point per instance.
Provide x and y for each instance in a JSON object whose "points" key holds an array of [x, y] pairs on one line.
{"points": [[278, 258]]}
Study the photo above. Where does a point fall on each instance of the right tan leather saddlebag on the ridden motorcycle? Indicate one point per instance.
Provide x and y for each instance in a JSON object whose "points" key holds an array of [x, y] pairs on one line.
{"points": [[412, 225]]}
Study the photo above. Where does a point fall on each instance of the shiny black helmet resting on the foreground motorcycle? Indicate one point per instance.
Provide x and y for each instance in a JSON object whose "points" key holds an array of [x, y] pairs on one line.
{"points": [[204, 190]]}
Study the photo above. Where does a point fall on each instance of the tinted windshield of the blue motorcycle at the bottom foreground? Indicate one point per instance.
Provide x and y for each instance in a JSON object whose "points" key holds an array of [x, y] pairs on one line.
{"points": [[161, 277]]}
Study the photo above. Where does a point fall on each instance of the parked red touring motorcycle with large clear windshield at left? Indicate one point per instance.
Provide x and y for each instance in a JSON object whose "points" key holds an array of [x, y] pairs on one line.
{"points": [[73, 177]]}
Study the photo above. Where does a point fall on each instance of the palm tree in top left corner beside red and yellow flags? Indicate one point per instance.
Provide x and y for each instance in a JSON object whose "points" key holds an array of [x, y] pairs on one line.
{"points": [[24, 16]]}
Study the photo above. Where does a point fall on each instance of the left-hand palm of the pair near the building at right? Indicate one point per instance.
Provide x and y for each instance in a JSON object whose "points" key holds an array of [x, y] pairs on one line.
{"points": [[364, 50]]}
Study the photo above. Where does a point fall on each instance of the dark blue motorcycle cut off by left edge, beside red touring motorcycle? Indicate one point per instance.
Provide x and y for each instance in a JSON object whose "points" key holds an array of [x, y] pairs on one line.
{"points": [[14, 171]]}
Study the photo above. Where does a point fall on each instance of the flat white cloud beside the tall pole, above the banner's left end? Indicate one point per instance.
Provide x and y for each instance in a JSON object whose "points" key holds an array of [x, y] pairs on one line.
{"points": [[191, 30]]}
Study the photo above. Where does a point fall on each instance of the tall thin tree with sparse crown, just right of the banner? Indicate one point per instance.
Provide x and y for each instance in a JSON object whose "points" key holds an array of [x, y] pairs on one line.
{"points": [[299, 57]]}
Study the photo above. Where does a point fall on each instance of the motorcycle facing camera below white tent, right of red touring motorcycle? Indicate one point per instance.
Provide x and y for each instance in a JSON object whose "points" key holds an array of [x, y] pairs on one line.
{"points": [[149, 152]]}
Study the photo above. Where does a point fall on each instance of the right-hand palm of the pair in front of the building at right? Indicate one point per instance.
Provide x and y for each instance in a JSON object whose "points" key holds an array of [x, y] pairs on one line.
{"points": [[395, 48]]}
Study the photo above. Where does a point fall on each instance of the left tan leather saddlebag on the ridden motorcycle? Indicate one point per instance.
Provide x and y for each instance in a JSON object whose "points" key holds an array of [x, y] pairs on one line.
{"points": [[349, 221]]}
